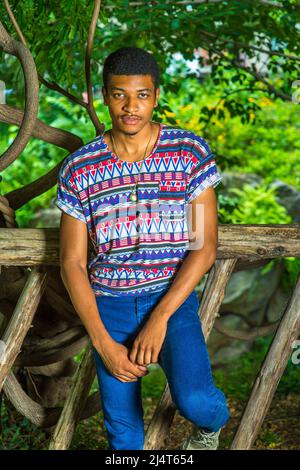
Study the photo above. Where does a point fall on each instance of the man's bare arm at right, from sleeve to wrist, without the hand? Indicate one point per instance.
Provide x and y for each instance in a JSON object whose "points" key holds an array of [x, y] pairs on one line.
{"points": [[198, 261]]}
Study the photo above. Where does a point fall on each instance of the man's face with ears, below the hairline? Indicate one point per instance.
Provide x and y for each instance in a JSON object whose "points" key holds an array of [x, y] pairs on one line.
{"points": [[130, 95]]}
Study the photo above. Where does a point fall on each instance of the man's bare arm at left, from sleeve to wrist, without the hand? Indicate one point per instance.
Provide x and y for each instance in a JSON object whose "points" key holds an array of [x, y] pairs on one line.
{"points": [[73, 270]]}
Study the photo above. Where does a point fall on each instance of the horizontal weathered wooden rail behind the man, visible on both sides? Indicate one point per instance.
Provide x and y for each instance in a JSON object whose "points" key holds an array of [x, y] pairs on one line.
{"points": [[26, 246]]}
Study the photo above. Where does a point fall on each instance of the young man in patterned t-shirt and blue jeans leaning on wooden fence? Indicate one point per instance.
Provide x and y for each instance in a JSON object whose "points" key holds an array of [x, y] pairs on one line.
{"points": [[127, 192]]}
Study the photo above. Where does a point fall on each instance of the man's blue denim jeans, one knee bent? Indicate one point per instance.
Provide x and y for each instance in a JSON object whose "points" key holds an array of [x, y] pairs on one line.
{"points": [[183, 358]]}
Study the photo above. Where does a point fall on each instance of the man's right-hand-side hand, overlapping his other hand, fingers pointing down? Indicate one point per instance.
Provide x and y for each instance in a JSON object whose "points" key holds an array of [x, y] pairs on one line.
{"points": [[147, 345]]}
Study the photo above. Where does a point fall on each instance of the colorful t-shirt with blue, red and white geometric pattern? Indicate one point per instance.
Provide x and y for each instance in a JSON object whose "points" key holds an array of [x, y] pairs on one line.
{"points": [[137, 247]]}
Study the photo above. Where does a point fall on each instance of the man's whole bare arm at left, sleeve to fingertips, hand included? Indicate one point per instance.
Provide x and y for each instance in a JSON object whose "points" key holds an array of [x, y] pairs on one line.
{"points": [[73, 269]]}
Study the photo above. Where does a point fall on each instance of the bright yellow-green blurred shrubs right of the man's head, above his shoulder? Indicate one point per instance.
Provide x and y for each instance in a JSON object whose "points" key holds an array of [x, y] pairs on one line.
{"points": [[268, 145]]}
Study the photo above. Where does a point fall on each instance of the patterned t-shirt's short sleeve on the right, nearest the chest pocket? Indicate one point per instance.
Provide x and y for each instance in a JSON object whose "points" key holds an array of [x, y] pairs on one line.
{"points": [[204, 171]]}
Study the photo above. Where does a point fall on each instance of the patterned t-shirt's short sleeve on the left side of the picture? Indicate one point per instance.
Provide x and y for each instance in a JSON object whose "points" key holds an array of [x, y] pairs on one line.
{"points": [[67, 198]]}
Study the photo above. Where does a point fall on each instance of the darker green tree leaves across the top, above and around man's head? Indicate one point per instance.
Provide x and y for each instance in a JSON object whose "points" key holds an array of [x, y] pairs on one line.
{"points": [[225, 29]]}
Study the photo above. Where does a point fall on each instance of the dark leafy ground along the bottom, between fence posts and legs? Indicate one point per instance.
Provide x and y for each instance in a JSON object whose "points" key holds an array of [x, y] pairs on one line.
{"points": [[280, 430]]}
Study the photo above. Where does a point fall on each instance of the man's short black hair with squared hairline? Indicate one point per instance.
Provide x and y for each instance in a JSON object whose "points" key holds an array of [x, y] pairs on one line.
{"points": [[130, 61]]}
